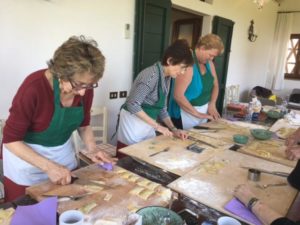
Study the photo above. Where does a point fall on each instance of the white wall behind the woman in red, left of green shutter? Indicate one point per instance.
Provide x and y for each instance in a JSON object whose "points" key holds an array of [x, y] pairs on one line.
{"points": [[31, 30]]}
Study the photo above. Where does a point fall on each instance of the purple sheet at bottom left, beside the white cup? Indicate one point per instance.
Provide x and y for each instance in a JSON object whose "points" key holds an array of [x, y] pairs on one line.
{"points": [[42, 213]]}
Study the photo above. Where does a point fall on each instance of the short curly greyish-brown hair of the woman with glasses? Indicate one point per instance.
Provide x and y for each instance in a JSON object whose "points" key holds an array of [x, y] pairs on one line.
{"points": [[77, 55]]}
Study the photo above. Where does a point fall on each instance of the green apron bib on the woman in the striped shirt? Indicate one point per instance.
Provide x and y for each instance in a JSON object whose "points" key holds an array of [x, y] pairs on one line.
{"points": [[154, 110]]}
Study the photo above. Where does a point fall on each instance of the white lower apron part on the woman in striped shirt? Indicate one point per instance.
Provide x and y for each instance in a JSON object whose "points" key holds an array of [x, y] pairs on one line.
{"points": [[132, 129]]}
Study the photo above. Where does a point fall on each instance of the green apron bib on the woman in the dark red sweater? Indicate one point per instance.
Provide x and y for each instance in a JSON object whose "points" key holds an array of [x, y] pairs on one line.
{"points": [[63, 123]]}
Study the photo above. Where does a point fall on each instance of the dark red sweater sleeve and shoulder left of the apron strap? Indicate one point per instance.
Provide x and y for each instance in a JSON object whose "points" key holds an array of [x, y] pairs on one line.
{"points": [[31, 110]]}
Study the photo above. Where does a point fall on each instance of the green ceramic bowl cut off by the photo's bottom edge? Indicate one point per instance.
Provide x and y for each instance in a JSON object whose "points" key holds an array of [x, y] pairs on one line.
{"points": [[155, 215]]}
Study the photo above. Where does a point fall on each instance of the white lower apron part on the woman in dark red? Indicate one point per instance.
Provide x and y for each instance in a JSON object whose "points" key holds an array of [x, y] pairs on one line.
{"points": [[23, 173]]}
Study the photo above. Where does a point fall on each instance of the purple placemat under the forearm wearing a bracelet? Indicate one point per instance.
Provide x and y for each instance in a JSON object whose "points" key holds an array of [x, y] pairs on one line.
{"points": [[239, 209]]}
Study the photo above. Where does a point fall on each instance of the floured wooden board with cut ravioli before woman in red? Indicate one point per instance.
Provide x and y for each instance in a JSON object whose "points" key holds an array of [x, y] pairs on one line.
{"points": [[122, 192]]}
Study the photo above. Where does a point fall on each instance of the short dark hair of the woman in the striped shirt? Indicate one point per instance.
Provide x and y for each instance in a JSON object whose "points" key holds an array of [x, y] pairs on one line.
{"points": [[178, 52]]}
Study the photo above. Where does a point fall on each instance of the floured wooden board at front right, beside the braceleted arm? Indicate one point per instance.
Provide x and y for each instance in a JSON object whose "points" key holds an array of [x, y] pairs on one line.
{"points": [[213, 182]]}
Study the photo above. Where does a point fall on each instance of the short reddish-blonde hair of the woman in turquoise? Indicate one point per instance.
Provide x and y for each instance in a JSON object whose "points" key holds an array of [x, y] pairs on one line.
{"points": [[211, 41]]}
